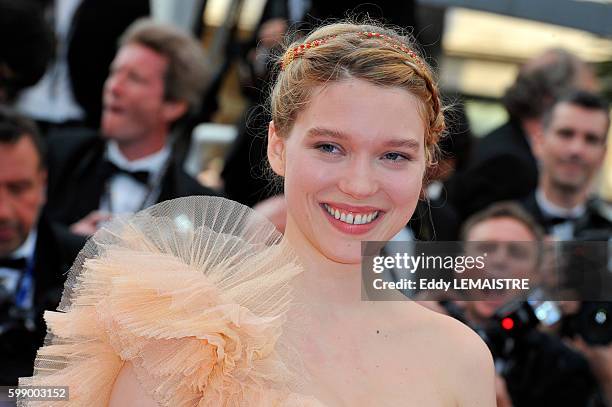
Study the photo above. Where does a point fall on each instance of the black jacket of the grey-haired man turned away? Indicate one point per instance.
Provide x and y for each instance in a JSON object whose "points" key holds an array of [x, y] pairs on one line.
{"points": [[502, 168]]}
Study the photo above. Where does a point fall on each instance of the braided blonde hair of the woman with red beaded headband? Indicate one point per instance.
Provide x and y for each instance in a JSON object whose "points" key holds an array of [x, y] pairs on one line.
{"points": [[368, 52]]}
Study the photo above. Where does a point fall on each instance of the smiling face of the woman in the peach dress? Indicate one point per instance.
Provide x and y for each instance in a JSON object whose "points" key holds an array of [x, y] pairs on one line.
{"points": [[353, 165]]}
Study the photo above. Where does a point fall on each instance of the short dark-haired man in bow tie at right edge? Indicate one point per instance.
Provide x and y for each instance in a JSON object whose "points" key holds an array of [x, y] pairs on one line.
{"points": [[571, 149]]}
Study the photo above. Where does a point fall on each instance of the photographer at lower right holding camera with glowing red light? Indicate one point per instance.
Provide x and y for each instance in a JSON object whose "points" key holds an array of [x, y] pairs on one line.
{"points": [[536, 368]]}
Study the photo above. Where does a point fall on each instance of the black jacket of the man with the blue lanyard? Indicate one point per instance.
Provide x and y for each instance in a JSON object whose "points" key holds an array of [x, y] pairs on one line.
{"points": [[55, 251]]}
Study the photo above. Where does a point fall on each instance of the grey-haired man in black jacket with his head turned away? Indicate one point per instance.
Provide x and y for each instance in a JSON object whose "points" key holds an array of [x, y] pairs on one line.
{"points": [[503, 166]]}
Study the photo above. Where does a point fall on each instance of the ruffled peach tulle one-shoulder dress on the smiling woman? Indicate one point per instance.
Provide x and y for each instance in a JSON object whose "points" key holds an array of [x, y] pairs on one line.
{"points": [[194, 293]]}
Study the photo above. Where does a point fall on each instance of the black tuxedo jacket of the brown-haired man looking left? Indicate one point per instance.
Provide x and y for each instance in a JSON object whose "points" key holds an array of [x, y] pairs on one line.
{"points": [[76, 180]]}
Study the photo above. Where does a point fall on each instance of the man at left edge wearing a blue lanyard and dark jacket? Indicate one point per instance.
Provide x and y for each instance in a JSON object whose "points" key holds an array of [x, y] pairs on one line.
{"points": [[33, 253]]}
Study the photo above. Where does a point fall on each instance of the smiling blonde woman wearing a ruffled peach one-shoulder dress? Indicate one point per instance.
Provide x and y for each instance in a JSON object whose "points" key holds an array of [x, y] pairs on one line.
{"points": [[253, 320]]}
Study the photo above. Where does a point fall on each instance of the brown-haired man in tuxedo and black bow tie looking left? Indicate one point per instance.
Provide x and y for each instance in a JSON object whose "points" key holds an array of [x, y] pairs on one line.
{"points": [[156, 79]]}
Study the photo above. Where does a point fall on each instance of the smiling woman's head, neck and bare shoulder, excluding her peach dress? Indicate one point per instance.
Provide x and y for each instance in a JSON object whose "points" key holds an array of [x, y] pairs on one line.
{"points": [[356, 121]]}
